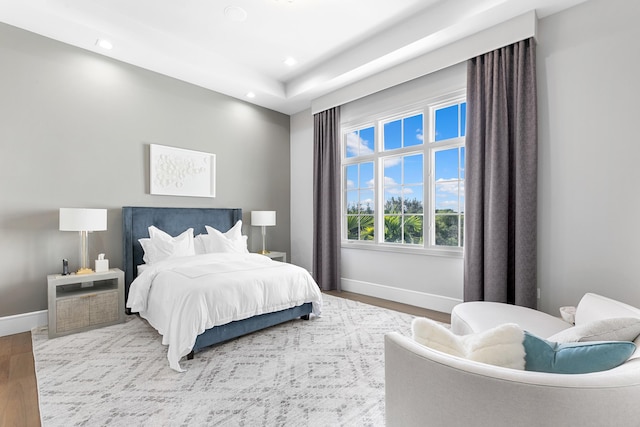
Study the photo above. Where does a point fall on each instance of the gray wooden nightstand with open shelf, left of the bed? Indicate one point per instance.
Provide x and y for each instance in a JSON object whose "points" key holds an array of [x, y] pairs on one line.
{"points": [[80, 302]]}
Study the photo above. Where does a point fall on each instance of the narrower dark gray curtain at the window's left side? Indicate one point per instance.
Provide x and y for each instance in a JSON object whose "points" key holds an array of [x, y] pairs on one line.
{"points": [[326, 199]]}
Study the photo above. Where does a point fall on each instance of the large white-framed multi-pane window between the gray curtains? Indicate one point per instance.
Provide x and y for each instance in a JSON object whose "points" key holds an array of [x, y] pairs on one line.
{"points": [[391, 166]]}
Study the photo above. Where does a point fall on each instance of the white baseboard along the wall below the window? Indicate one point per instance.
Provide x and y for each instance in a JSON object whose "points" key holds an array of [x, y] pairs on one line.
{"points": [[419, 299]]}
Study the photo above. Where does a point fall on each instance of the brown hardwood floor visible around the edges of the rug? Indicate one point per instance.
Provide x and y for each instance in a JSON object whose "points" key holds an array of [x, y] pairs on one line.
{"points": [[19, 390]]}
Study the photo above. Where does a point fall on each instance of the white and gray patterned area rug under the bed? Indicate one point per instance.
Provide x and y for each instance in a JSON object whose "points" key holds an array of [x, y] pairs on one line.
{"points": [[327, 371]]}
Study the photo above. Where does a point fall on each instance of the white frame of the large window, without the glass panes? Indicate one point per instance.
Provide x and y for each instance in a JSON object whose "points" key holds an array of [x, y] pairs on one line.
{"points": [[428, 149]]}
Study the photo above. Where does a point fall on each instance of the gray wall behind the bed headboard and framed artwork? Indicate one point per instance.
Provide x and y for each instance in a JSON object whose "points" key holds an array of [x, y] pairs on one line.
{"points": [[74, 132]]}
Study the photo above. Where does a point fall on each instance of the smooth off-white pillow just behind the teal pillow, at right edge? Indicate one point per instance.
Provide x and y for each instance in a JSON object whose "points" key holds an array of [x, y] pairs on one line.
{"points": [[614, 329]]}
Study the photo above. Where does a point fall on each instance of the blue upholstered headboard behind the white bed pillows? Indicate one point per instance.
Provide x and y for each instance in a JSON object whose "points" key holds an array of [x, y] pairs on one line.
{"points": [[136, 220]]}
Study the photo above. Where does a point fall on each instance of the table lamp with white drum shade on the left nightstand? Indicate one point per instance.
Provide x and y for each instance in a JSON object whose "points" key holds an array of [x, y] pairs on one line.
{"points": [[84, 221]]}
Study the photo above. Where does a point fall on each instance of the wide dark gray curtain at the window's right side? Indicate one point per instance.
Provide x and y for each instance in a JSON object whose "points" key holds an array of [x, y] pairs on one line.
{"points": [[501, 177]]}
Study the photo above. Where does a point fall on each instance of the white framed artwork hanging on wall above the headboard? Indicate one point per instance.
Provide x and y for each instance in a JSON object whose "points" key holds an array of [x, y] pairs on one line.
{"points": [[180, 172]]}
